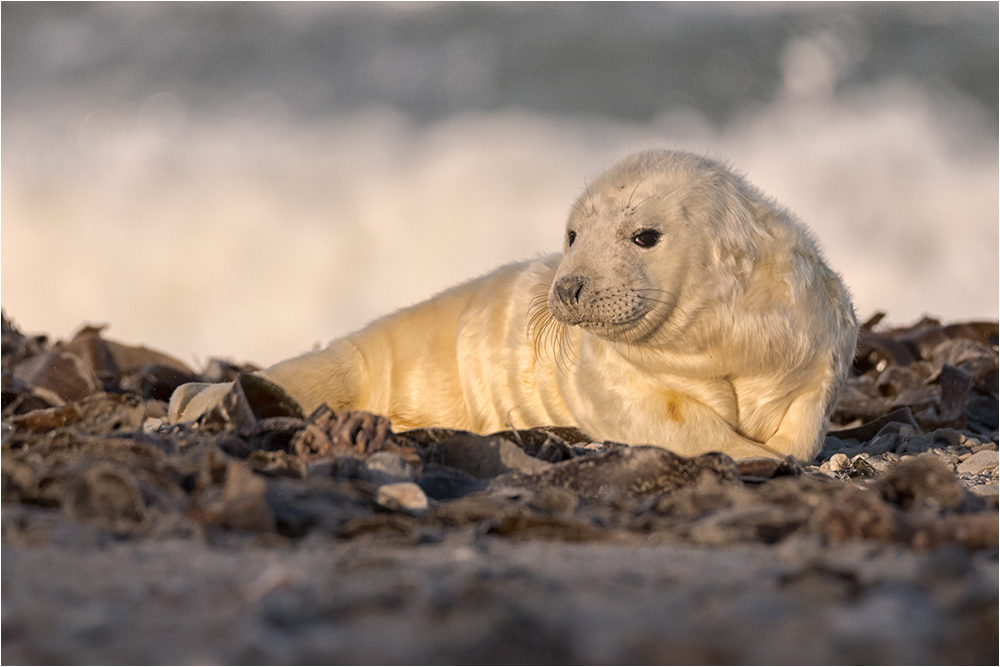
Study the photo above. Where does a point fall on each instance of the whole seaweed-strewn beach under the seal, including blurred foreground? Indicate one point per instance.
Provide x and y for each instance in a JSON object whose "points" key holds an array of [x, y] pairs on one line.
{"points": [[328, 538]]}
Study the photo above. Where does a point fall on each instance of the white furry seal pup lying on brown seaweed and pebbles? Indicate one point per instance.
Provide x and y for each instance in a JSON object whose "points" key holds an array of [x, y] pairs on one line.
{"points": [[687, 311]]}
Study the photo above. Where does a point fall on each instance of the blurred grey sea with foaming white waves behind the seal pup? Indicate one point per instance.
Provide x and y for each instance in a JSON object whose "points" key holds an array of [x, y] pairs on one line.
{"points": [[253, 180]]}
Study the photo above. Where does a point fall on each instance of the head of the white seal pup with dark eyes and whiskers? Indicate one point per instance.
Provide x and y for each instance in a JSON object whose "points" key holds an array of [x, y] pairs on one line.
{"points": [[640, 240]]}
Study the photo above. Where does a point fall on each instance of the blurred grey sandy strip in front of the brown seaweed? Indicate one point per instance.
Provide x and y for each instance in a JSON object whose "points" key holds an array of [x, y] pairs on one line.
{"points": [[478, 599]]}
